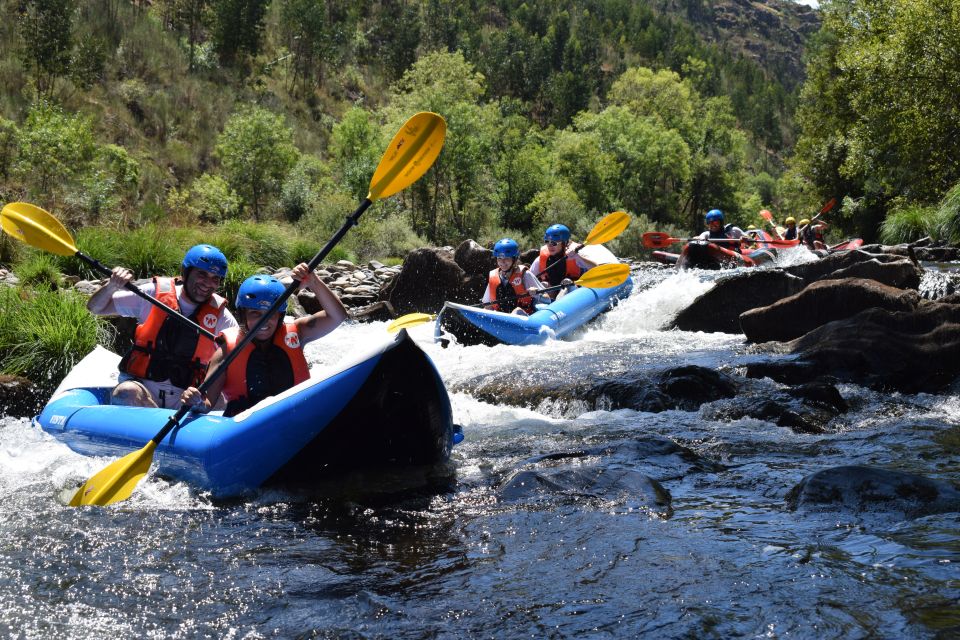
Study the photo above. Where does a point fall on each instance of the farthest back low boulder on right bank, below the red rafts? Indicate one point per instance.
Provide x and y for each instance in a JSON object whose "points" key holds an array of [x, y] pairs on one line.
{"points": [[892, 270]]}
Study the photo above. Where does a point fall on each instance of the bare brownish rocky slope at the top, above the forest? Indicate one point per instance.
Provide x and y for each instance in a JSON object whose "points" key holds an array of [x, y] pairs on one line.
{"points": [[772, 32]]}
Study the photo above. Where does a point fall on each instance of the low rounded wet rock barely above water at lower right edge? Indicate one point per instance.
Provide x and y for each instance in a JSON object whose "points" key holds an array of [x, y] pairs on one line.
{"points": [[858, 489]]}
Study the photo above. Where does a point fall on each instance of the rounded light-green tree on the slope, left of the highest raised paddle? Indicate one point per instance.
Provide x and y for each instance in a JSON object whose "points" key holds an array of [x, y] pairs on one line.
{"points": [[256, 150]]}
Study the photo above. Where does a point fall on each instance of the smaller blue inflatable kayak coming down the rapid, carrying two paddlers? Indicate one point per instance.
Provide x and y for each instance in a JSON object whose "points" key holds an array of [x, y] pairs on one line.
{"points": [[473, 325]]}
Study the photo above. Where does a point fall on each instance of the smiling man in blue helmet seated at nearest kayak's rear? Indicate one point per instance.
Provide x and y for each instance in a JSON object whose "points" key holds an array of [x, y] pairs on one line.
{"points": [[166, 356]]}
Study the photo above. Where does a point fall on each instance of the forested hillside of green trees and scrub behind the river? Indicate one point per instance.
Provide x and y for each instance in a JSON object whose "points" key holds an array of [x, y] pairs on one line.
{"points": [[198, 111]]}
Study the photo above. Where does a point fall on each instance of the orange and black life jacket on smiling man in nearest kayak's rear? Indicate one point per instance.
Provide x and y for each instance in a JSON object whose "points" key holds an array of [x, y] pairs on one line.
{"points": [[165, 349]]}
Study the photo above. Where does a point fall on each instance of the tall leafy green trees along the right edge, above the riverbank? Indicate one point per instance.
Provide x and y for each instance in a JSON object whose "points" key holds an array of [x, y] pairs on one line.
{"points": [[878, 113]]}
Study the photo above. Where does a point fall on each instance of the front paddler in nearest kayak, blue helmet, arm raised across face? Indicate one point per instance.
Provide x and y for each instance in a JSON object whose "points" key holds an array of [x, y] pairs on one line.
{"points": [[273, 360]]}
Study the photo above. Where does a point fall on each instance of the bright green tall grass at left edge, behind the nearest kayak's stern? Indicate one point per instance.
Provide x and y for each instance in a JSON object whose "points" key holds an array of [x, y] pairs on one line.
{"points": [[43, 334]]}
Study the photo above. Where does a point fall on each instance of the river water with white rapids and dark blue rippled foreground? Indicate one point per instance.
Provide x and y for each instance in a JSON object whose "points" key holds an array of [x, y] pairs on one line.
{"points": [[723, 557]]}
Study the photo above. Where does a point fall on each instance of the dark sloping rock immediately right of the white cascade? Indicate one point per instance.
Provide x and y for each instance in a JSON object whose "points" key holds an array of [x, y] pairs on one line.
{"points": [[719, 308]]}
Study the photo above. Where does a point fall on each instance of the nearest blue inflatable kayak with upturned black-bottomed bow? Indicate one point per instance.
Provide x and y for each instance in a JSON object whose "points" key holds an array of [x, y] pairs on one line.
{"points": [[386, 411]]}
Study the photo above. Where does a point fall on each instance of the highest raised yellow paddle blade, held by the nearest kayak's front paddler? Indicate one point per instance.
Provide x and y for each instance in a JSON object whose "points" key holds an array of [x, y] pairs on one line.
{"points": [[411, 152]]}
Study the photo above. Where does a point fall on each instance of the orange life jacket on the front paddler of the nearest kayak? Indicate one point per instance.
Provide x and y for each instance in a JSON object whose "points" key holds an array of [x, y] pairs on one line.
{"points": [[281, 373]]}
